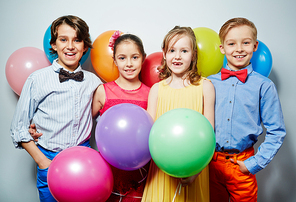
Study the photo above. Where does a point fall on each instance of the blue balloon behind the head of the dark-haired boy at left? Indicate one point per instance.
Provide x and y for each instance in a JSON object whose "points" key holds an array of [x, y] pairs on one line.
{"points": [[47, 46]]}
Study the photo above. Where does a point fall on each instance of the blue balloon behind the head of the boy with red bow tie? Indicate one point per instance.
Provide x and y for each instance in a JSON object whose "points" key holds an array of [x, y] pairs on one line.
{"points": [[261, 60]]}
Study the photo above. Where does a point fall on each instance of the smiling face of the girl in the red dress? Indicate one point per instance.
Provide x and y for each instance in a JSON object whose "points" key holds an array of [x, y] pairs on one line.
{"points": [[129, 60]]}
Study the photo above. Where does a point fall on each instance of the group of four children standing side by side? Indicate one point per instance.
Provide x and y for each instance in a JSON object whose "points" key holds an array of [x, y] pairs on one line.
{"points": [[62, 99]]}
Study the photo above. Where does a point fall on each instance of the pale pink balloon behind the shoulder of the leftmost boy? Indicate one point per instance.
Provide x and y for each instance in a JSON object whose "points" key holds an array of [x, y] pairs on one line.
{"points": [[21, 64]]}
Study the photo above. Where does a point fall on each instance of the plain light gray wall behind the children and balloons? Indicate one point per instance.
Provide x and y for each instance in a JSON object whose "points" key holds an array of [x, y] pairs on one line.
{"points": [[23, 24]]}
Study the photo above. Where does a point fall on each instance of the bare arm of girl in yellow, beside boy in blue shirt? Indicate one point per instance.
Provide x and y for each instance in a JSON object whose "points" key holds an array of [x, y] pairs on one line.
{"points": [[209, 101]]}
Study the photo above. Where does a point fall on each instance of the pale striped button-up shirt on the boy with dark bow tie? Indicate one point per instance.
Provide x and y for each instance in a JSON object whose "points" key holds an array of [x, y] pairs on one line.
{"points": [[61, 111]]}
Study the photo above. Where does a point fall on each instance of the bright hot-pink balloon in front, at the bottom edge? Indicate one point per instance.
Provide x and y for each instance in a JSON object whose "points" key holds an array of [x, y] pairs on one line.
{"points": [[80, 174]]}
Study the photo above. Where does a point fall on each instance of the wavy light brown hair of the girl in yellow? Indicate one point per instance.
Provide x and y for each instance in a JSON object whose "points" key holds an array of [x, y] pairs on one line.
{"points": [[178, 31]]}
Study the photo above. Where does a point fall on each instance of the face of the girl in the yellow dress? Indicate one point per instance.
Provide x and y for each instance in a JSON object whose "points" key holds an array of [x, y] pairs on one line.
{"points": [[179, 55]]}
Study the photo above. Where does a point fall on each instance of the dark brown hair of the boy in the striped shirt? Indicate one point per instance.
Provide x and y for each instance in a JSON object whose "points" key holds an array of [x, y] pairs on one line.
{"points": [[79, 25]]}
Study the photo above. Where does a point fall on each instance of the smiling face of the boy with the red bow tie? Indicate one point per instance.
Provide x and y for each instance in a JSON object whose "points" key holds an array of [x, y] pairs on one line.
{"points": [[238, 47]]}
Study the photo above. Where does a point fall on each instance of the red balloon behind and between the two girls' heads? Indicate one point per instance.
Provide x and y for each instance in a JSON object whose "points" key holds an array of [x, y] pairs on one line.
{"points": [[149, 73]]}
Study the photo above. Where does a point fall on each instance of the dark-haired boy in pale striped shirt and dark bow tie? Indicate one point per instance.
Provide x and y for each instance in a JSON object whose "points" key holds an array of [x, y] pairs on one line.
{"points": [[58, 100]]}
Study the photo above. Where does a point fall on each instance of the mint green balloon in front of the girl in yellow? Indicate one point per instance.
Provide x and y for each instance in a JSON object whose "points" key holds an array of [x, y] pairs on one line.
{"points": [[182, 142]]}
